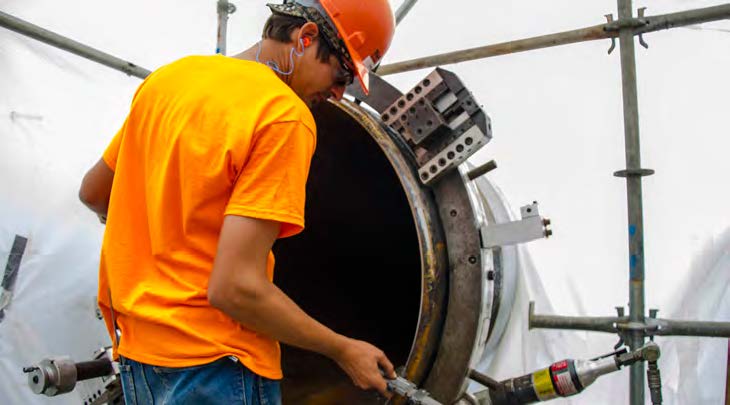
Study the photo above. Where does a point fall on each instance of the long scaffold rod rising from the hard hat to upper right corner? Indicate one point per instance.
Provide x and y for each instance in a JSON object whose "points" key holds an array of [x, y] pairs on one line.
{"points": [[596, 32]]}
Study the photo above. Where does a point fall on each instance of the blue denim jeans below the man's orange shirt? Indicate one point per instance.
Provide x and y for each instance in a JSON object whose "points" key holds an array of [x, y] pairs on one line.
{"points": [[224, 381]]}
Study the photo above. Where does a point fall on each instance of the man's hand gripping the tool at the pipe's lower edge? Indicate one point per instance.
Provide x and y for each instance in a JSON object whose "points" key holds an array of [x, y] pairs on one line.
{"points": [[363, 362]]}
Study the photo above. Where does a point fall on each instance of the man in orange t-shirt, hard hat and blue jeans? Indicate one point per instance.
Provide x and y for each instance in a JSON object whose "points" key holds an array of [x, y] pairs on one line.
{"points": [[208, 170]]}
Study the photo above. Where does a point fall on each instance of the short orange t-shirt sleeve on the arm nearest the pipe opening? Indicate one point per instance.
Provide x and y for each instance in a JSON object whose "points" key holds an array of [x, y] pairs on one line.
{"points": [[272, 183]]}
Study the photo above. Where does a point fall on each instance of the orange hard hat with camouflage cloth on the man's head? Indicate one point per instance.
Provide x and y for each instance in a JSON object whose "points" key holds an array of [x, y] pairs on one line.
{"points": [[365, 28]]}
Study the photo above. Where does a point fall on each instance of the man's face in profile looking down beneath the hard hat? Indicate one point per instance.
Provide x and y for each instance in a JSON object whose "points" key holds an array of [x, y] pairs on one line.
{"points": [[316, 80]]}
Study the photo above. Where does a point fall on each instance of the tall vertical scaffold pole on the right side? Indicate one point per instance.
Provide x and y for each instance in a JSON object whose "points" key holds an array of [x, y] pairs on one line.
{"points": [[635, 339]]}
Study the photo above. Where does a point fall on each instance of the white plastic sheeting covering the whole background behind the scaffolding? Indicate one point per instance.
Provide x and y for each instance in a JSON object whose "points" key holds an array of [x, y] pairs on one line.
{"points": [[557, 139]]}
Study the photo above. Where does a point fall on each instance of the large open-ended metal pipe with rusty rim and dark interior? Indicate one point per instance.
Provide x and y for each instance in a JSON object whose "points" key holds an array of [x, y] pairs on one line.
{"points": [[375, 263]]}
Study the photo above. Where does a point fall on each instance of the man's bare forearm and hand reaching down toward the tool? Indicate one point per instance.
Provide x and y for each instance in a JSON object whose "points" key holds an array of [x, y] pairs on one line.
{"points": [[239, 287]]}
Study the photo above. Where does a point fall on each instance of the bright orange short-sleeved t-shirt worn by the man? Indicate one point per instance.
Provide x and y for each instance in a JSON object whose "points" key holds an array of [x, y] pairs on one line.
{"points": [[206, 136]]}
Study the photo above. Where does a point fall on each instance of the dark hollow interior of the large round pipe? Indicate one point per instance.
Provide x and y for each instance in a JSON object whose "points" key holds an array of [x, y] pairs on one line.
{"points": [[356, 267]]}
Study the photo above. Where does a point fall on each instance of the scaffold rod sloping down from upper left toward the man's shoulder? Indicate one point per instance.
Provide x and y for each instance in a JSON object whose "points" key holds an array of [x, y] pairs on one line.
{"points": [[67, 44]]}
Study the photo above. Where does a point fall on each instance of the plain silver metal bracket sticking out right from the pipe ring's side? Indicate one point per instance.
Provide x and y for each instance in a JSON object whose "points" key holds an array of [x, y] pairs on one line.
{"points": [[532, 226]]}
